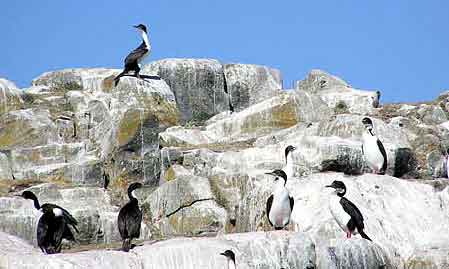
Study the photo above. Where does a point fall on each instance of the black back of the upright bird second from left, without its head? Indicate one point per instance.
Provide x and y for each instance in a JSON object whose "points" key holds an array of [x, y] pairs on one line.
{"points": [[129, 220]]}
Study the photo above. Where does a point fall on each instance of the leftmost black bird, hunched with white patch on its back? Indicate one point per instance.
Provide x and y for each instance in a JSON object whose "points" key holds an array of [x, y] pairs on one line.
{"points": [[53, 226]]}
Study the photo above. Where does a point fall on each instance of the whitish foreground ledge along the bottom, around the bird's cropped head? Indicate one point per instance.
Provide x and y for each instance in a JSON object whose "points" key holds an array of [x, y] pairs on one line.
{"points": [[290, 250]]}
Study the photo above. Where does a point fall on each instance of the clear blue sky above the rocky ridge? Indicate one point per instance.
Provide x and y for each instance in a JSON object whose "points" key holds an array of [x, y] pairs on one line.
{"points": [[399, 47]]}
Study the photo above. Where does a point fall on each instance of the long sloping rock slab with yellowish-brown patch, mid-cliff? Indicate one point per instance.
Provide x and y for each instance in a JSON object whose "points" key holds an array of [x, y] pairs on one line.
{"points": [[279, 112]]}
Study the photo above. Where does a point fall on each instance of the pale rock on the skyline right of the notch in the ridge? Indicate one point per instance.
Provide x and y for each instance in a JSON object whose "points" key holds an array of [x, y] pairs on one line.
{"points": [[337, 94]]}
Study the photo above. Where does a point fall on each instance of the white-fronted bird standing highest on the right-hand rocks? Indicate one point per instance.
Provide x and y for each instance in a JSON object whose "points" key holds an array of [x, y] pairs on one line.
{"points": [[373, 149]]}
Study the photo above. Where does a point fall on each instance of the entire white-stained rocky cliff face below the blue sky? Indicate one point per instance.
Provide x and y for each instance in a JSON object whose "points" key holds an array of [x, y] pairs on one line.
{"points": [[203, 166]]}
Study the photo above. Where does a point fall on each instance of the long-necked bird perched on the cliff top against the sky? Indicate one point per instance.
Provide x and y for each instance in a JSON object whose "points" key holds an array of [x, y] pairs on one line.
{"points": [[136, 56]]}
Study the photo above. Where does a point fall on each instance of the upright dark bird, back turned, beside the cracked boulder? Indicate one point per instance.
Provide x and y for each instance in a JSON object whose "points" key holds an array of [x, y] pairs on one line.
{"points": [[130, 218]]}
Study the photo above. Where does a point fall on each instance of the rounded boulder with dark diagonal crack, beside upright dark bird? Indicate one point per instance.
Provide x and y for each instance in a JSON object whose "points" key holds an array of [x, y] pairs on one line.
{"points": [[185, 206]]}
